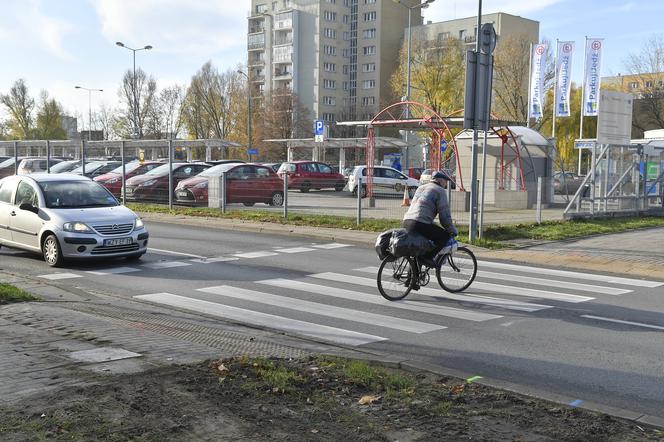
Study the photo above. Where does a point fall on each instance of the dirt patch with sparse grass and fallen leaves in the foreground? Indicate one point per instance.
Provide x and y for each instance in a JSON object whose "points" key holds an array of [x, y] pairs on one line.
{"points": [[318, 398]]}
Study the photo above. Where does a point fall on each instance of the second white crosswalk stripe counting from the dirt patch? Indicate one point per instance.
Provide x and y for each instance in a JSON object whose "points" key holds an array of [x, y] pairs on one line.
{"points": [[322, 309]]}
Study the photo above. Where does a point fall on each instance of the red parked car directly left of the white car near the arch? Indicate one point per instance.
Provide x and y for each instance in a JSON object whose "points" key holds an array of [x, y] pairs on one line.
{"points": [[306, 175]]}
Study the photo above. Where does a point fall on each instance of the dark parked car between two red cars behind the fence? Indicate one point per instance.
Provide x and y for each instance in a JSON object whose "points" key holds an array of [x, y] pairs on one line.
{"points": [[152, 186]]}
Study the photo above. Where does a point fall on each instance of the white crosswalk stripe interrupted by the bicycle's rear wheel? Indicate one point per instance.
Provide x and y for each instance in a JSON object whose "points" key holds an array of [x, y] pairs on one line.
{"points": [[467, 297]]}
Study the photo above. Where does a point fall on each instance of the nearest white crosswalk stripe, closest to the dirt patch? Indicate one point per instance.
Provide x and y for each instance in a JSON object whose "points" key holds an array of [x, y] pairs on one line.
{"points": [[332, 334]]}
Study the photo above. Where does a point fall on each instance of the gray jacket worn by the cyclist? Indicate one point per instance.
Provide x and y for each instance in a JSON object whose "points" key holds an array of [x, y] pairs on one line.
{"points": [[431, 200]]}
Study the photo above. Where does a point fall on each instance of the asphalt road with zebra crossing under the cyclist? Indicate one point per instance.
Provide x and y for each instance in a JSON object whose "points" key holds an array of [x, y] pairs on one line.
{"points": [[588, 337]]}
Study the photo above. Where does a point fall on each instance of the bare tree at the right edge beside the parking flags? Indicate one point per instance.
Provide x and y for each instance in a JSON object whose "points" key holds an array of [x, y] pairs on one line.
{"points": [[647, 67]]}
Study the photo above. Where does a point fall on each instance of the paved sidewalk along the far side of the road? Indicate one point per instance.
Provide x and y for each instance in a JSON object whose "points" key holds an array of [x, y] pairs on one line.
{"points": [[637, 253]]}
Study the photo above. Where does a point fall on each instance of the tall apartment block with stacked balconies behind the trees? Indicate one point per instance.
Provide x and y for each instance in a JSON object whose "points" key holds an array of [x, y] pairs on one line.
{"points": [[336, 55]]}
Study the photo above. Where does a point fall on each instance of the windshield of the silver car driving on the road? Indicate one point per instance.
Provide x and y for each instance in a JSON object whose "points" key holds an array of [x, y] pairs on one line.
{"points": [[76, 195]]}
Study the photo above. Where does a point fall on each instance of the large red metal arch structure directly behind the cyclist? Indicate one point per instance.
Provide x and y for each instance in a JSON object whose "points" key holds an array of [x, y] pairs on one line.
{"points": [[410, 115]]}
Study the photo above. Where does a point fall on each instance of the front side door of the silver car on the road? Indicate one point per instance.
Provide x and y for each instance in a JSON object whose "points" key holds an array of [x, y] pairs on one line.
{"points": [[24, 224]]}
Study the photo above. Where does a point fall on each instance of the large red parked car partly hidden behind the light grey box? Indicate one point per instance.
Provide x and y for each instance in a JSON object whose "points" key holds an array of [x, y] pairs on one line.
{"points": [[246, 183]]}
